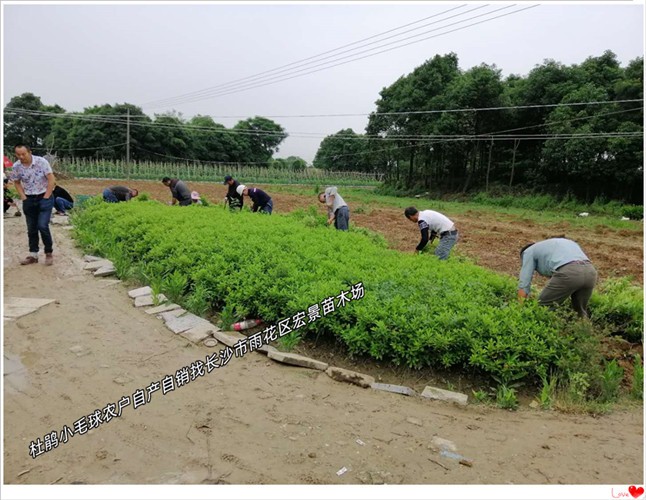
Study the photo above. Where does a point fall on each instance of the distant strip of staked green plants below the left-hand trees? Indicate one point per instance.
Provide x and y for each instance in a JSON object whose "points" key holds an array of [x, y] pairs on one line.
{"points": [[107, 169]]}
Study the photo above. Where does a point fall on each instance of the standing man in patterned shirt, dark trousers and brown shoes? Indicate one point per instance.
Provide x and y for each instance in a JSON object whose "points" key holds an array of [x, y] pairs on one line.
{"points": [[34, 181]]}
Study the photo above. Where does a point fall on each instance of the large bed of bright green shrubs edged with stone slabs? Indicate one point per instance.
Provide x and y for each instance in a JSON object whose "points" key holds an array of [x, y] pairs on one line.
{"points": [[416, 312]]}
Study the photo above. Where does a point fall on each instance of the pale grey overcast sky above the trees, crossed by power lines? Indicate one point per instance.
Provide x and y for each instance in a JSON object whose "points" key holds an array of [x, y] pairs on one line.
{"points": [[78, 56]]}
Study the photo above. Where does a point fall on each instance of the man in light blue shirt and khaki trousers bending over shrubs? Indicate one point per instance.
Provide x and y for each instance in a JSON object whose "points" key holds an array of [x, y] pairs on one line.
{"points": [[571, 272]]}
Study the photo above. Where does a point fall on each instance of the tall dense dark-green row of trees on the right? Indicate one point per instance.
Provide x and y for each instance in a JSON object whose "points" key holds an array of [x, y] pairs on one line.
{"points": [[587, 150]]}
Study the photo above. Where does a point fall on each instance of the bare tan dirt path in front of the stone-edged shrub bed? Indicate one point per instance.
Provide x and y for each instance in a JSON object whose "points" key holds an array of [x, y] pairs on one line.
{"points": [[252, 421]]}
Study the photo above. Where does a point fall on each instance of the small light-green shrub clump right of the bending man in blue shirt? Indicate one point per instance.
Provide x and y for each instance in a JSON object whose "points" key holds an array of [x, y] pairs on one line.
{"points": [[618, 307]]}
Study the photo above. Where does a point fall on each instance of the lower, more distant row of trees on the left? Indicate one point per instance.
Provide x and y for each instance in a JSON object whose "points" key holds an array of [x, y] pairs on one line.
{"points": [[102, 132]]}
